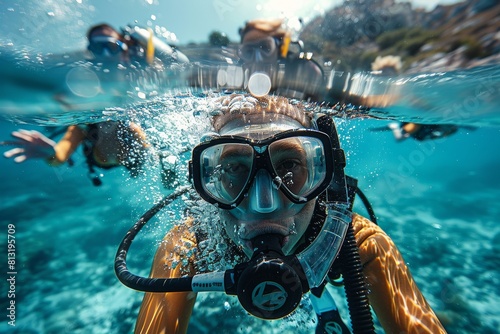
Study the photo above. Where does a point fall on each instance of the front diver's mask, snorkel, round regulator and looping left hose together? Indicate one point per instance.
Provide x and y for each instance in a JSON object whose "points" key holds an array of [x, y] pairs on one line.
{"points": [[271, 284]]}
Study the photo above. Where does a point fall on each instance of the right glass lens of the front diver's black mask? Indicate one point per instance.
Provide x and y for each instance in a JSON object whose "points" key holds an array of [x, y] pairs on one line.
{"points": [[300, 163]]}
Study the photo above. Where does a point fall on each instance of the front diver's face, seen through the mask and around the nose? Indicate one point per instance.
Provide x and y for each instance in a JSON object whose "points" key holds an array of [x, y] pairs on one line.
{"points": [[255, 216]]}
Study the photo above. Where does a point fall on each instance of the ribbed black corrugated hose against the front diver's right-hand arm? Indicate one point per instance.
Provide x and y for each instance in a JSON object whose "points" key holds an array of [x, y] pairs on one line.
{"points": [[355, 285]]}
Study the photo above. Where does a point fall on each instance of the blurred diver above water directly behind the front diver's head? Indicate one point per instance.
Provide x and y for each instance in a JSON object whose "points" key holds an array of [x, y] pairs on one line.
{"points": [[266, 48]]}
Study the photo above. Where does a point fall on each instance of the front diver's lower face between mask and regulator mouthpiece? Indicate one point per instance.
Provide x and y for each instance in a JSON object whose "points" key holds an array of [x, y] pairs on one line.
{"points": [[292, 227]]}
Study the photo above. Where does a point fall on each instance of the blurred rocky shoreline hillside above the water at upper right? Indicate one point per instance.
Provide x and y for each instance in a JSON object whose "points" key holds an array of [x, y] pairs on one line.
{"points": [[462, 35]]}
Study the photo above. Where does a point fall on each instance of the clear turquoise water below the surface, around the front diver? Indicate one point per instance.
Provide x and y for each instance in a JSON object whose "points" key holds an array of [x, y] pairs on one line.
{"points": [[438, 200]]}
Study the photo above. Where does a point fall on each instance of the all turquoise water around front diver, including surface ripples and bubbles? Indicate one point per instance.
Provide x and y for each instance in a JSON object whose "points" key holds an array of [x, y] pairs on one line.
{"points": [[438, 200]]}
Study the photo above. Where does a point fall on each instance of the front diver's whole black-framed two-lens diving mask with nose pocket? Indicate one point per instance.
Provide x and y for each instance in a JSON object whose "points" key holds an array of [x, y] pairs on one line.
{"points": [[226, 169]]}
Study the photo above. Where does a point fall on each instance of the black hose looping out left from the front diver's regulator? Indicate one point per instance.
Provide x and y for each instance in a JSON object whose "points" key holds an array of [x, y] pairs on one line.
{"points": [[140, 283]]}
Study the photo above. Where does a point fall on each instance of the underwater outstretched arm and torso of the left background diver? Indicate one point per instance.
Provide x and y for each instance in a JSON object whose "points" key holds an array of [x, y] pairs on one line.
{"points": [[105, 145]]}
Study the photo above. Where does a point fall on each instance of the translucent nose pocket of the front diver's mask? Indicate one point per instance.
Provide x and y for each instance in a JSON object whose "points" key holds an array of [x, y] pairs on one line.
{"points": [[263, 197]]}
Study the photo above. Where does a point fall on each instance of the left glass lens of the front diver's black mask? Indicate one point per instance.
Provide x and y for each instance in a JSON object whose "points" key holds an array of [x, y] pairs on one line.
{"points": [[225, 170]]}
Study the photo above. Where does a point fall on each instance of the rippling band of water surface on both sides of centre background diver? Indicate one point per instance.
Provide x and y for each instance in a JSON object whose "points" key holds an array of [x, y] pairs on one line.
{"points": [[59, 90]]}
